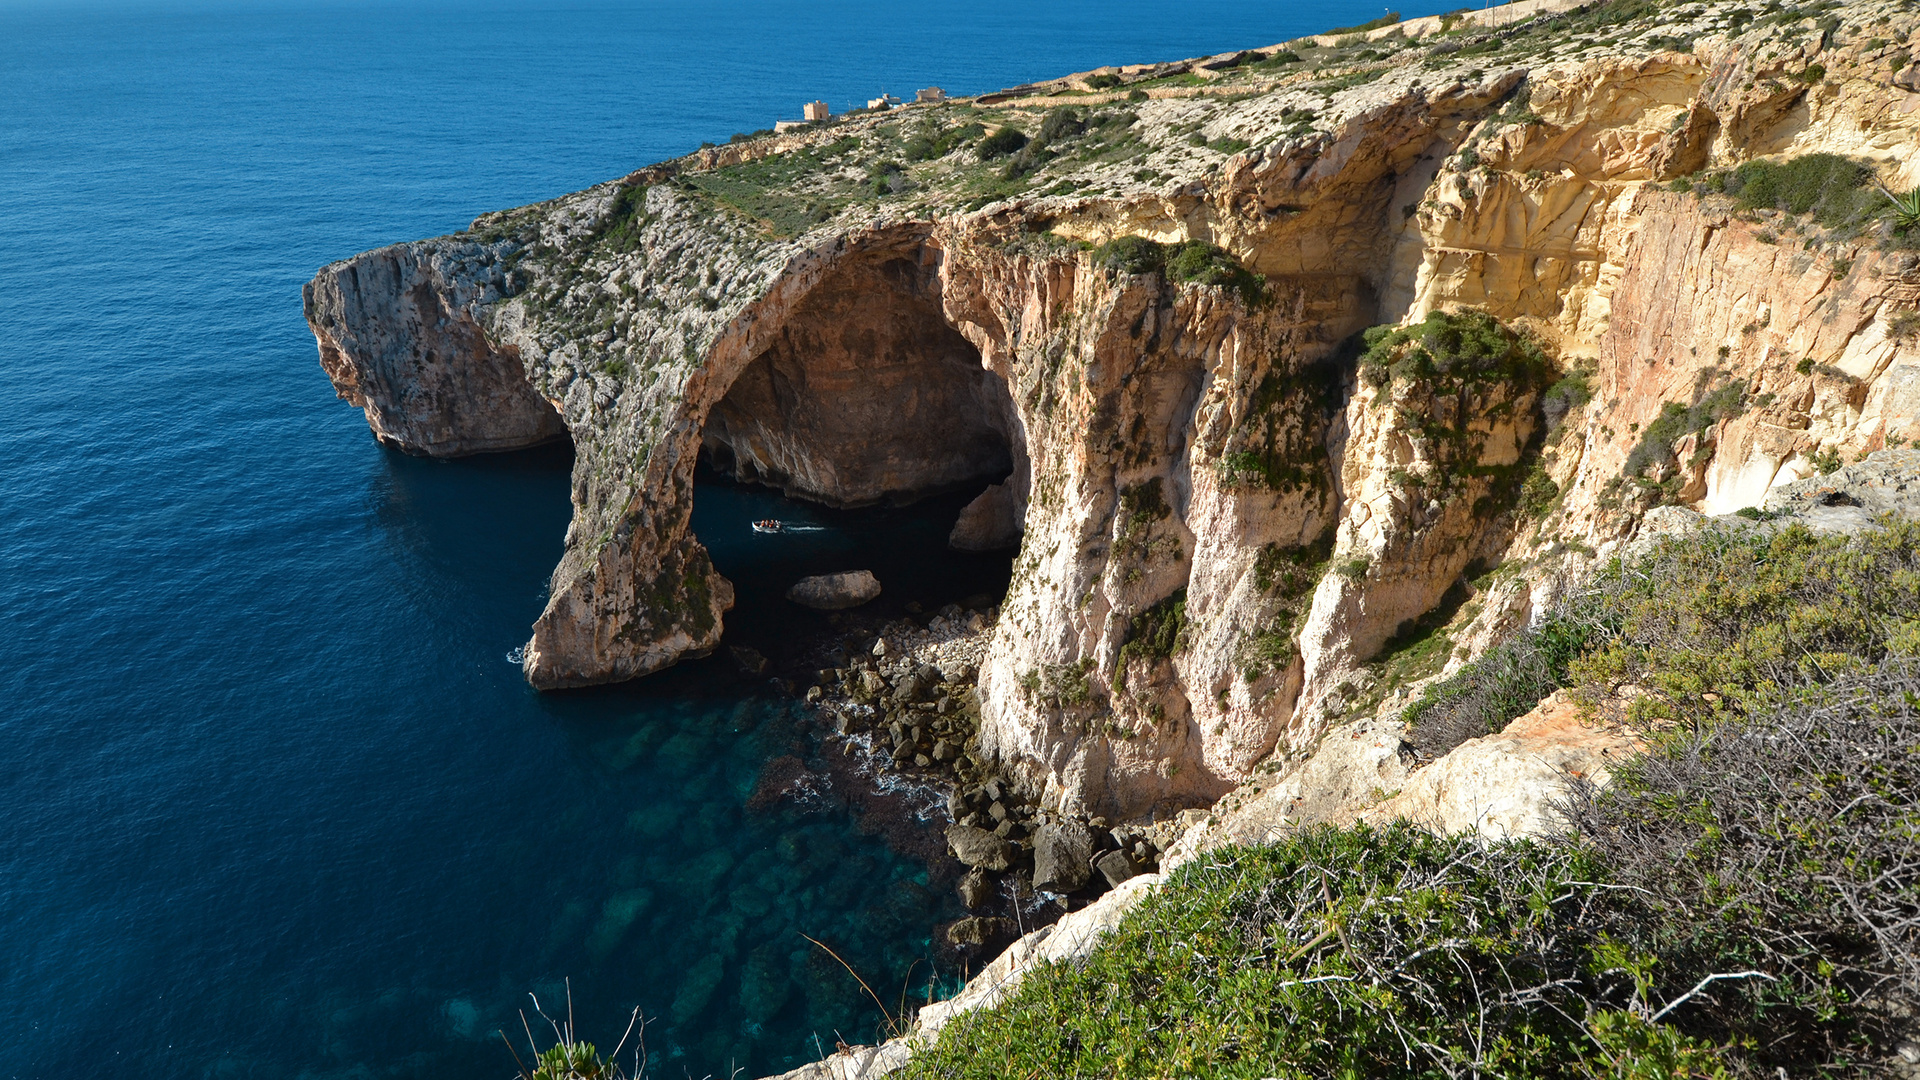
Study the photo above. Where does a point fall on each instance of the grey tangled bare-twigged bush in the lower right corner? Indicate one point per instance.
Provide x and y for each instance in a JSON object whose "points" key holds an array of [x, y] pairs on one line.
{"points": [[1783, 845]]}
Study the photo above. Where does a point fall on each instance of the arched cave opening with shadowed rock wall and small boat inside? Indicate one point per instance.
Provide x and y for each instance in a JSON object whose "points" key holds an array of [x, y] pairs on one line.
{"points": [[873, 431]]}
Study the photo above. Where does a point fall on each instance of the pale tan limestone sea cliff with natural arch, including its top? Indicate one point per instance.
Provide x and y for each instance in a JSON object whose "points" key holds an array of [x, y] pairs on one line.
{"points": [[1228, 537]]}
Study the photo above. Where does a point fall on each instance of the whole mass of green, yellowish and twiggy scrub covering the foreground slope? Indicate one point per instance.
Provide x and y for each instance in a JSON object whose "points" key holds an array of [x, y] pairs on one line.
{"points": [[1740, 900]]}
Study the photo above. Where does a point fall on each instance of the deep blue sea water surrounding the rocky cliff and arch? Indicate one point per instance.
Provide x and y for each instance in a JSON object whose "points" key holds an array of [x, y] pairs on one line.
{"points": [[274, 800]]}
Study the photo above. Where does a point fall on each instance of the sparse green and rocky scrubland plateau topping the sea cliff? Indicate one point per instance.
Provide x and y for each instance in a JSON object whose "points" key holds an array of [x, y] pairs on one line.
{"points": [[1153, 130]]}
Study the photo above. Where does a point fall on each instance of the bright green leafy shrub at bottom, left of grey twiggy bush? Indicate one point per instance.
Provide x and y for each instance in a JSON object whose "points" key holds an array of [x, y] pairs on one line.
{"points": [[1341, 954]]}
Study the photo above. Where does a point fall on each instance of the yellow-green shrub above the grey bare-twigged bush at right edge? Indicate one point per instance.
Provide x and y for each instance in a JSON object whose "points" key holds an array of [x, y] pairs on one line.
{"points": [[1704, 626]]}
